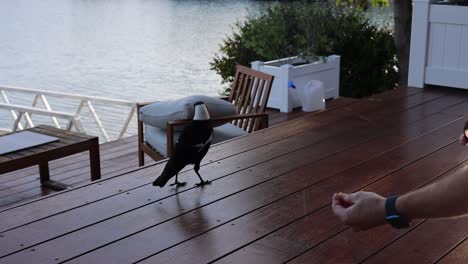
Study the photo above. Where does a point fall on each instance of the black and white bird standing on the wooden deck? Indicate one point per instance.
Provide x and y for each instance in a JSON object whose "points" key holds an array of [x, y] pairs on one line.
{"points": [[191, 148]]}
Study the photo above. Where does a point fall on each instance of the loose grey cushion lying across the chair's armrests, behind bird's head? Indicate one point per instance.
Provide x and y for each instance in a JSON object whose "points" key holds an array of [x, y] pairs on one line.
{"points": [[157, 114]]}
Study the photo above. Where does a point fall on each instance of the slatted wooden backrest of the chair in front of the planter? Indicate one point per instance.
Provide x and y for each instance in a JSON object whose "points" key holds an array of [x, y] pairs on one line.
{"points": [[249, 93]]}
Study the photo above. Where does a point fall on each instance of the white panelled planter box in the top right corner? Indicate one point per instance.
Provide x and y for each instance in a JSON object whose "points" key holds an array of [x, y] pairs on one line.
{"points": [[439, 45]]}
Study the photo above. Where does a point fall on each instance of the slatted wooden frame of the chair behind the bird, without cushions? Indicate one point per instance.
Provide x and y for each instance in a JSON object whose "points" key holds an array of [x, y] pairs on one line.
{"points": [[249, 93]]}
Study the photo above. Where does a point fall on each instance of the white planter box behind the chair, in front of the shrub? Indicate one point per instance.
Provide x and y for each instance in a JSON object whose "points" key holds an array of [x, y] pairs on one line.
{"points": [[284, 98]]}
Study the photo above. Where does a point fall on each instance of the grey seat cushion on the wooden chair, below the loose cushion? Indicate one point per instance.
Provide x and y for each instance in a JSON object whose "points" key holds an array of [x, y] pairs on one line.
{"points": [[157, 138]]}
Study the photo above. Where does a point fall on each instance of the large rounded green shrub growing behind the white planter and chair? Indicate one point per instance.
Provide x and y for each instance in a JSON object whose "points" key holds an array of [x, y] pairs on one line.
{"points": [[368, 55]]}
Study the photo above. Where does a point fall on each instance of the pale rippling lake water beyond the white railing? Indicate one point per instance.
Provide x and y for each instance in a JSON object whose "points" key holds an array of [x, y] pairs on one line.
{"points": [[125, 49]]}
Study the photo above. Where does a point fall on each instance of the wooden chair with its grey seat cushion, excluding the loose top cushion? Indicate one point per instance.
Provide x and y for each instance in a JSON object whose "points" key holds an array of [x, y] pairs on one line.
{"points": [[249, 94]]}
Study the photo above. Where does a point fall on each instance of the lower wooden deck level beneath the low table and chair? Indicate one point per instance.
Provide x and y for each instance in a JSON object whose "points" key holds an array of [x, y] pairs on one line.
{"points": [[117, 157]]}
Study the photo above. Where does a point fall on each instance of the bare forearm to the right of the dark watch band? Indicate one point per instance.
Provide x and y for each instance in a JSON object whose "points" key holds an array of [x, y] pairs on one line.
{"points": [[445, 198]]}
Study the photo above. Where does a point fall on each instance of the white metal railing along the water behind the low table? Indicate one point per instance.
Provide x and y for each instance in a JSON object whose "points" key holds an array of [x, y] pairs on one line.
{"points": [[74, 120]]}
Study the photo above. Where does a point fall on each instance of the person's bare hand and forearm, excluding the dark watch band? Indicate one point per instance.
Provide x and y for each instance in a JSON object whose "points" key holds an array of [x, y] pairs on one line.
{"points": [[444, 198]]}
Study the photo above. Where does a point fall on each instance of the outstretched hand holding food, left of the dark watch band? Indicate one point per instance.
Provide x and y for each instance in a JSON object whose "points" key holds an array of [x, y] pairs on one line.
{"points": [[361, 210]]}
